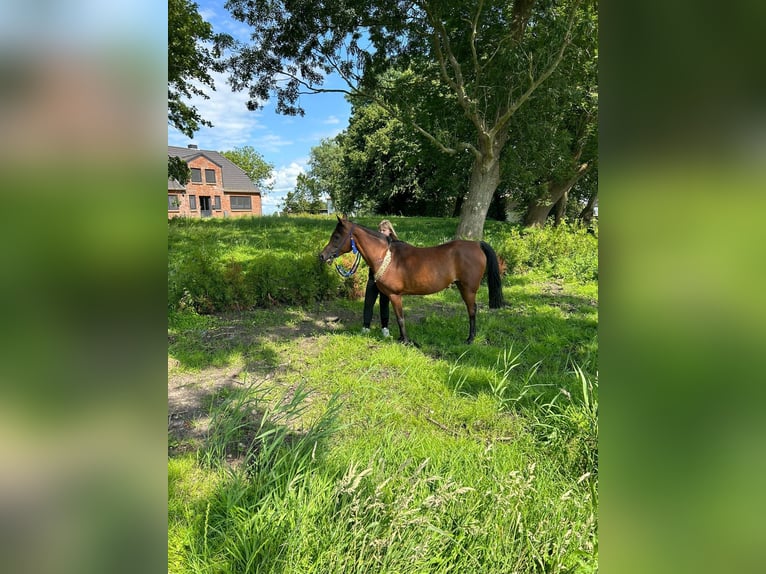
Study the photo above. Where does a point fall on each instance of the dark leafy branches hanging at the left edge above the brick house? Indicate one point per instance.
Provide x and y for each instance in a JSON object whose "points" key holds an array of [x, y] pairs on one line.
{"points": [[190, 60]]}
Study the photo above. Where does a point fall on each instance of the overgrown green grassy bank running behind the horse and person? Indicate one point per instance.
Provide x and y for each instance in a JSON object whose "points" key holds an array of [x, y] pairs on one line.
{"points": [[244, 263]]}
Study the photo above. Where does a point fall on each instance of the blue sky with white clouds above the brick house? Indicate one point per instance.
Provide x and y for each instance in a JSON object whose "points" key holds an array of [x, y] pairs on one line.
{"points": [[283, 141]]}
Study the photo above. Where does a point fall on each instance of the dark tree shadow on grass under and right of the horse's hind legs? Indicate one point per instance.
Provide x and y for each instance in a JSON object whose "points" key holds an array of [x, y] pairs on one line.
{"points": [[545, 330]]}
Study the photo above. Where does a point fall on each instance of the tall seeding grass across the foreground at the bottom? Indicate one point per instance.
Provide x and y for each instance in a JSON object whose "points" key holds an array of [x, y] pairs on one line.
{"points": [[273, 498]]}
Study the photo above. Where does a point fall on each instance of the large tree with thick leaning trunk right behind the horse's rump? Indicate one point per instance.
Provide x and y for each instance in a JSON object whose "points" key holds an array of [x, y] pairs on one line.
{"points": [[484, 59]]}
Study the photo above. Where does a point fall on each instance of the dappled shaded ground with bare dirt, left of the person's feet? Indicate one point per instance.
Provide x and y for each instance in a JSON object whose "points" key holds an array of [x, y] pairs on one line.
{"points": [[212, 357]]}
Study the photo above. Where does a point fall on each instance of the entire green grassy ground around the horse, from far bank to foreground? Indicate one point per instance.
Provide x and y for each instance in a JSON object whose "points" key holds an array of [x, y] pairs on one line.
{"points": [[298, 444]]}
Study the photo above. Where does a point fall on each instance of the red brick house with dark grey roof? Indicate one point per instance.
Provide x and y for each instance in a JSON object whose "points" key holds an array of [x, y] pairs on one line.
{"points": [[217, 188]]}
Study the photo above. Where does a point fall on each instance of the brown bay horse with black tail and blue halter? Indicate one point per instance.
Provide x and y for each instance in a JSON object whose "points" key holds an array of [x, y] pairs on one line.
{"points": [[403, 269]]}
